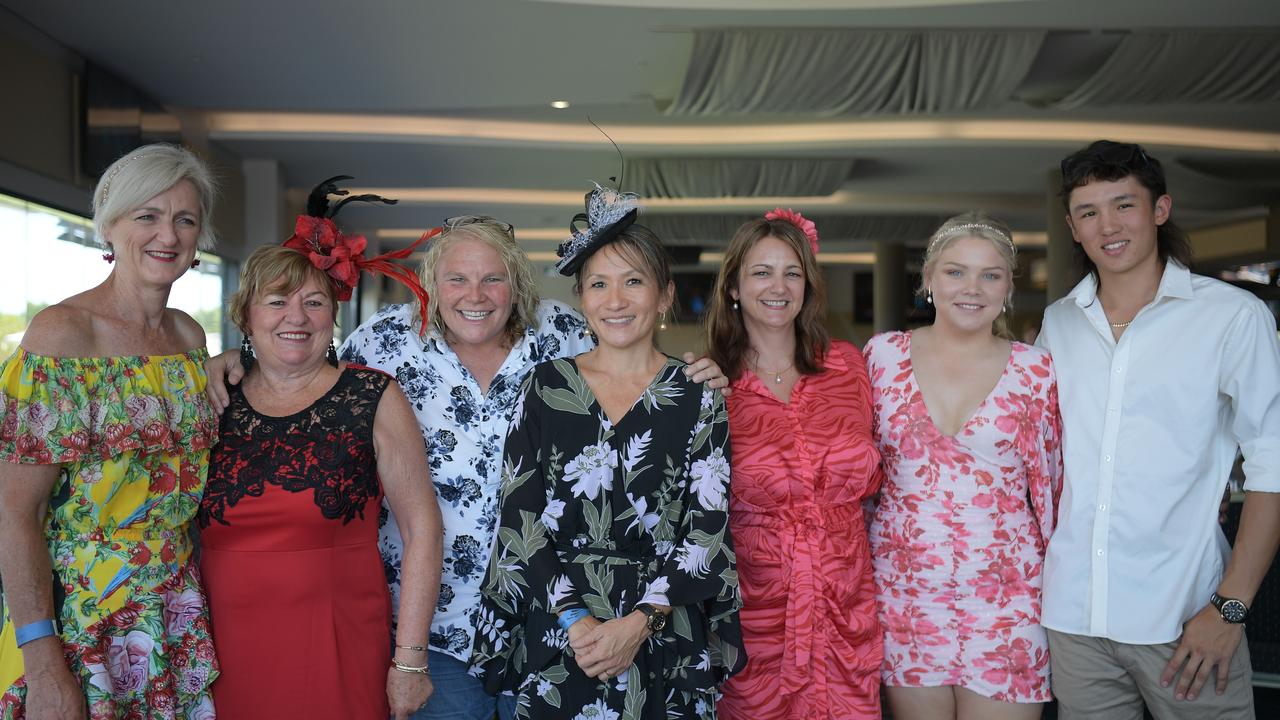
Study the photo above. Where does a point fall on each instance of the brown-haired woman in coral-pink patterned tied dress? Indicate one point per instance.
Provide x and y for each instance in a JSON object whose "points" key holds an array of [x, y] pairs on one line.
{"points": [[804, 461]]}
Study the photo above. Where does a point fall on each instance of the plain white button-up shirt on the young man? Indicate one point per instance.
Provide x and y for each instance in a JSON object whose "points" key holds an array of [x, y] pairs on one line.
{"points": [[1150, 431]]}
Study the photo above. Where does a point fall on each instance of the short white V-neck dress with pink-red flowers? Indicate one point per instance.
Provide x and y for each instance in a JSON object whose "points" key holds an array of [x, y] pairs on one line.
{"points": [[962, 526]]}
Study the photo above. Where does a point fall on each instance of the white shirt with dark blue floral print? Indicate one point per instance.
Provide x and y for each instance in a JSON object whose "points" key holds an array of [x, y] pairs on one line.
{"points": [[465, 432]]}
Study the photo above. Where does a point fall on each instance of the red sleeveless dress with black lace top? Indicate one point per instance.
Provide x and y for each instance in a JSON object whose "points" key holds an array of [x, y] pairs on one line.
{"points": [[301, 613]]}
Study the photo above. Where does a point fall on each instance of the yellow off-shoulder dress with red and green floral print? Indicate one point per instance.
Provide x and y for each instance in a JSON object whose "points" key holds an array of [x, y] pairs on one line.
{"points": [[132, 436]]}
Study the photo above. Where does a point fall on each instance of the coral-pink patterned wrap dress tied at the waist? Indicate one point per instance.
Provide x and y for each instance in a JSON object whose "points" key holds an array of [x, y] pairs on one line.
{"points": [[802, 472]]}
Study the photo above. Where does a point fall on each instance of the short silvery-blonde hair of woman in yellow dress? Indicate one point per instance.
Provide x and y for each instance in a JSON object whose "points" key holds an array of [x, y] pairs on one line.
{"points": [[141, 175]]}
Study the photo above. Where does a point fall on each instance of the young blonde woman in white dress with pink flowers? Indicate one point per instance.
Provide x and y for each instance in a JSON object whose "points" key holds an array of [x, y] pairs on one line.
{"points": [[968, 427]]}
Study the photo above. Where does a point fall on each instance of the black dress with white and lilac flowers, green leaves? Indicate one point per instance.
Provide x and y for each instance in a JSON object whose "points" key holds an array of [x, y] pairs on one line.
{"points": [[605, 517]]}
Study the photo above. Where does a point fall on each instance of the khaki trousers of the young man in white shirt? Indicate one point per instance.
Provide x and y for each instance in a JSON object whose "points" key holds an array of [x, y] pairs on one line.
{"points": [[1101, 680]]}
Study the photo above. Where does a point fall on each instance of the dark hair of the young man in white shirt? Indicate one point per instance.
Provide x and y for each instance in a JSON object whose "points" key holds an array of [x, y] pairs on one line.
{"points": [[1107, 161]]}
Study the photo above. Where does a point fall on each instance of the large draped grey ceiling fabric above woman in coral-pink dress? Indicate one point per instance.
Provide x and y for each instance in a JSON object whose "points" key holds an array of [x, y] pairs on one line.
{"points": [[853, 72]]}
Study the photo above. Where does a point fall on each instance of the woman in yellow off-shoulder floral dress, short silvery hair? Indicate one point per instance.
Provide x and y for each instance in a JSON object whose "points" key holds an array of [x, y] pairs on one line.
{"points": [[104, 449]]}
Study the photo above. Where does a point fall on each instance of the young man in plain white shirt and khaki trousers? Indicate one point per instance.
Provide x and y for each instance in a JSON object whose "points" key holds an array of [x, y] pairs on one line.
{"points": [[1163, 375]]}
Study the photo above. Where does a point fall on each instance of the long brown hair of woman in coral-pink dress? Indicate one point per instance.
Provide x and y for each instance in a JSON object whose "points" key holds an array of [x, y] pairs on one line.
{"points": [[728, 341]]}
